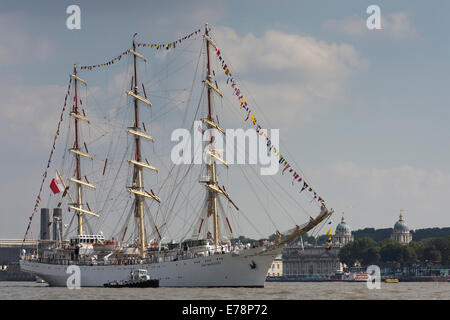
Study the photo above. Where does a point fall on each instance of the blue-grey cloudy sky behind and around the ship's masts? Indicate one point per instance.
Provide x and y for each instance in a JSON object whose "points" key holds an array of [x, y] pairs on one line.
{"points": [[363, 113]]}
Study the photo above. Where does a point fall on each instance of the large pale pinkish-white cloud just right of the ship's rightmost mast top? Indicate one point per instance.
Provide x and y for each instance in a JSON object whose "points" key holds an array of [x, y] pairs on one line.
{"points": [[290, 75]]}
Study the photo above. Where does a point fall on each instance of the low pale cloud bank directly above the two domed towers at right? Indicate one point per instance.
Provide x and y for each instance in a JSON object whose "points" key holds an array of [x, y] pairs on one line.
{"points": [[374, 196]]}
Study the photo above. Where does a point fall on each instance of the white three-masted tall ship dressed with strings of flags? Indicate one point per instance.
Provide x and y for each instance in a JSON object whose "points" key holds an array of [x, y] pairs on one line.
{"points": [[209, 254]]}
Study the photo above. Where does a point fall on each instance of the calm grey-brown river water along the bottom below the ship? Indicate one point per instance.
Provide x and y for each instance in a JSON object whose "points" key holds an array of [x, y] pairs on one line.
{"points": [[271, 291]]}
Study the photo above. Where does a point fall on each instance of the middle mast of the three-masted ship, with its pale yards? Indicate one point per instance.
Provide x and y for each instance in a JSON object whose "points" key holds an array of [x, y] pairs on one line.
{"points": [[138, 180]]}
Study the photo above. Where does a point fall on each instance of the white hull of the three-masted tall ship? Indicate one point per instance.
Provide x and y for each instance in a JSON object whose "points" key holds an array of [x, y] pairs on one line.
{"points": [[248, 269]]}
